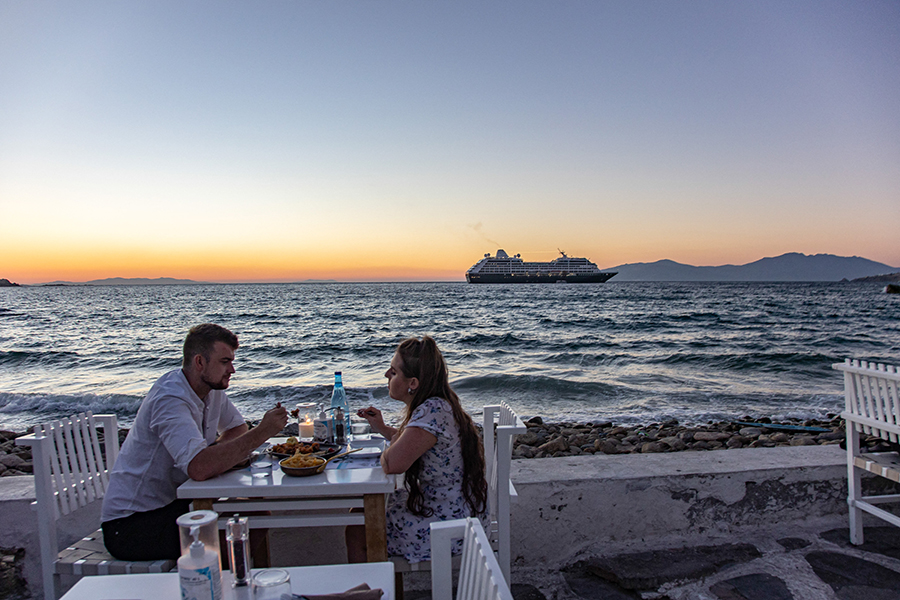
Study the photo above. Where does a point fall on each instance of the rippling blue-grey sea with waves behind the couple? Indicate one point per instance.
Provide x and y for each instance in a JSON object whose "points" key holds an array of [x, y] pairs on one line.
{"points": [[630, 353]]}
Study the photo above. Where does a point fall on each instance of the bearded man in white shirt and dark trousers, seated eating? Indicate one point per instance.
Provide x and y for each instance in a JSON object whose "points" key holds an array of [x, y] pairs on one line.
{"points": [[185, 428]]}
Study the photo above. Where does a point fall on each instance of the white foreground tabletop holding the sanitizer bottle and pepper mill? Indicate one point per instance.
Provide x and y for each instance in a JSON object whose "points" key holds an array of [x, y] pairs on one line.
{"points": [[323, 579]]}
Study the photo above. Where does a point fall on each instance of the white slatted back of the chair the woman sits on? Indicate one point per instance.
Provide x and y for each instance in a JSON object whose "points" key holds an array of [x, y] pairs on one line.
{"points": [[498, 455]]}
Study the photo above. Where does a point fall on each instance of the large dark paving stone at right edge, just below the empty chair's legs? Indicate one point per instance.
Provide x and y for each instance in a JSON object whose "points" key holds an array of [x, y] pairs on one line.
{"points": [[850, 576]]}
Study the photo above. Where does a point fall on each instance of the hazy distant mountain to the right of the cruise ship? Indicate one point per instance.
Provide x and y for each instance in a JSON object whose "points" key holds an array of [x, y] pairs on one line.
{"points": [[787, 267]]}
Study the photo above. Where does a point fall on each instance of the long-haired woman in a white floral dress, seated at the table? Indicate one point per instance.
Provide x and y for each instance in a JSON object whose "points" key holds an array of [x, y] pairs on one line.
{"points": [[436, 447]]}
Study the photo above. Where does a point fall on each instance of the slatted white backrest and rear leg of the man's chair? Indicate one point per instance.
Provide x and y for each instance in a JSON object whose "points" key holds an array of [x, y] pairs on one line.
{"points": [[70, 472]]}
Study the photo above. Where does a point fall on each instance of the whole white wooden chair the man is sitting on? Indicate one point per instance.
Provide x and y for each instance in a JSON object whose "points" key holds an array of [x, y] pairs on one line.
{"points": [[70, 474]]}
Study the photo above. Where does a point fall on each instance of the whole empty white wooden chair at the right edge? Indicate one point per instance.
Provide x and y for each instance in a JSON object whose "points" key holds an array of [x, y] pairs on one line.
{"points": [[873, 408]]}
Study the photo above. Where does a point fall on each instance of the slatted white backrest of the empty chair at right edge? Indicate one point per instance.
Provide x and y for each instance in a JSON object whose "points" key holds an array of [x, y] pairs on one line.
{"points": [[872, 397]]}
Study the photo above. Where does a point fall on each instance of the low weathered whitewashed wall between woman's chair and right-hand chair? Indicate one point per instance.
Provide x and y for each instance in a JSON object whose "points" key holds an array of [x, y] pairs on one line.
{"points": [[582, 502]]}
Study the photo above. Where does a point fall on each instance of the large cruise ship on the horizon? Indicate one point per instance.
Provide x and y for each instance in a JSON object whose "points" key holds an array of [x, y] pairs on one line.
{"points": [[504, 268]]}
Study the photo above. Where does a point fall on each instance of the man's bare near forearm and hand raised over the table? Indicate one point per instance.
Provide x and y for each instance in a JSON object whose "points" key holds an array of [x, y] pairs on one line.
{"points": [[235, 445]]}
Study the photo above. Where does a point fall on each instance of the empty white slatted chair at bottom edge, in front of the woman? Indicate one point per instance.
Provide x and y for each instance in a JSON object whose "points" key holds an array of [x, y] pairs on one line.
{"points": [[480, 576]]}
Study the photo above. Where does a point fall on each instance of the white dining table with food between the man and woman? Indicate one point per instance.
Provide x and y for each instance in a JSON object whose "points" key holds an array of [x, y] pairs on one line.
{"points": [[319, 500]]}
